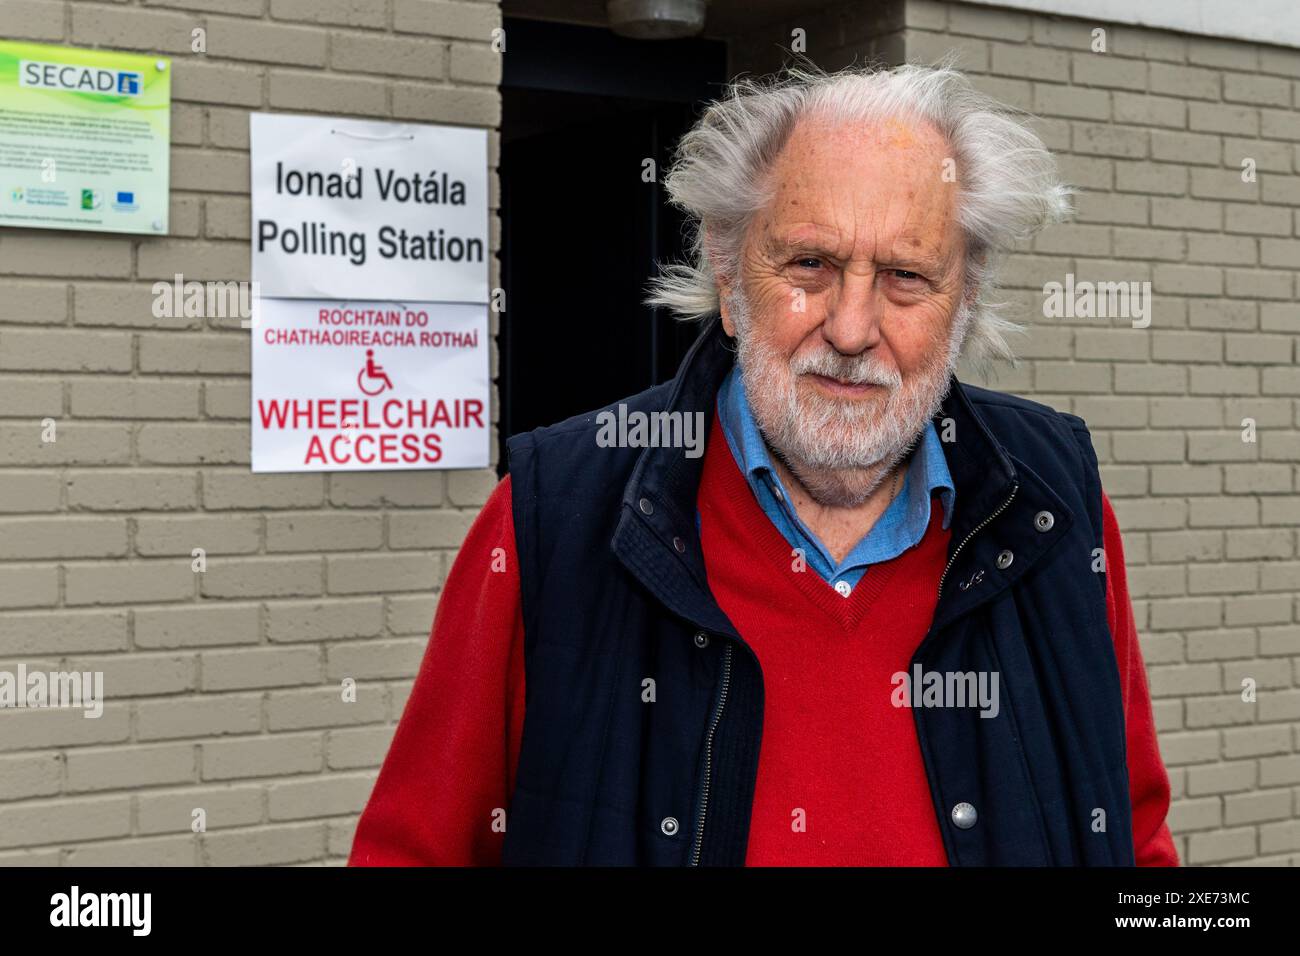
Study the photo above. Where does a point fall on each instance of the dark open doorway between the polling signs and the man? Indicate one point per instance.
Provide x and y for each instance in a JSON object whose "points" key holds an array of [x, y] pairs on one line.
{"points": [[582, 230]]}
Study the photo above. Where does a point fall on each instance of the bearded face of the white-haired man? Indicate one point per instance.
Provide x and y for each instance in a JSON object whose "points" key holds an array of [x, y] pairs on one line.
{"points": [[850, 313]]}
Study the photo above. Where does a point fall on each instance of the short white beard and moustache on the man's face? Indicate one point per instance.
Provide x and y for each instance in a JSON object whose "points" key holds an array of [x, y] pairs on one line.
{"points": [[840, 449]]}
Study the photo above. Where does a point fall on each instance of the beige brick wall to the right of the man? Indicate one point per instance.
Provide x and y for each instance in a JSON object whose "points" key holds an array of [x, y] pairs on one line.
{"points": [[1154, 133]]}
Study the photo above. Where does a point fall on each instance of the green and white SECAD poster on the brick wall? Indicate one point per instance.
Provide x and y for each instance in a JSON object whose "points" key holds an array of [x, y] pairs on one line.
{"points": [[84, 140]]}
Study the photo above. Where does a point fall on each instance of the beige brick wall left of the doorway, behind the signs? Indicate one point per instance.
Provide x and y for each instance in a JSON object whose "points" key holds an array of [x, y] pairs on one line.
{"points": [[223, 687]]}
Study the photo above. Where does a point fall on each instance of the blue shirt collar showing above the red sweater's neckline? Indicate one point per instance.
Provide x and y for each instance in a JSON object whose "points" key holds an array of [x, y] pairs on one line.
{"points": [[902, 526]]}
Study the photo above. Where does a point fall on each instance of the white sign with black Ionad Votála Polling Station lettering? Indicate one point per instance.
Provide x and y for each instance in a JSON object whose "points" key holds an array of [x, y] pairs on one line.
{"points": [[362, 210]]}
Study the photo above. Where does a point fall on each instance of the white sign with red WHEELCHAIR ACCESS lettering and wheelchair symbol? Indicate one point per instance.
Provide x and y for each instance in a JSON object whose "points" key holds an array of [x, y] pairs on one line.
{"points": [[370, 386]]}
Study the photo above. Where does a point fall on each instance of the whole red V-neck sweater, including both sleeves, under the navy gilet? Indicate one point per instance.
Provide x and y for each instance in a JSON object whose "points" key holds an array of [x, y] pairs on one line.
{"points": [[840, 777]]}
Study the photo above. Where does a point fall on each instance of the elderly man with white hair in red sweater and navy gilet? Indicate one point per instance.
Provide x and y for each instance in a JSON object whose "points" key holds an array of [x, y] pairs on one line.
{"points": [[881, 621]]}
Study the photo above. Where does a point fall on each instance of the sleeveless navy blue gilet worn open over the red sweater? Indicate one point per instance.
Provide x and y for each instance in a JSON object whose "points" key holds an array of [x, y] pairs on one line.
{"points": [[644, 711]]}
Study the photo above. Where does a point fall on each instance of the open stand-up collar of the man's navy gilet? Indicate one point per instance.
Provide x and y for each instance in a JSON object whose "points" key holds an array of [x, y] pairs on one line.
{"points": [[658, 542]]}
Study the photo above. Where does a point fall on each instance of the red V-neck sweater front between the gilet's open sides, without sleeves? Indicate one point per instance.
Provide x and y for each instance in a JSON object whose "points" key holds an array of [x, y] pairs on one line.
{"points": [[840, 778]]}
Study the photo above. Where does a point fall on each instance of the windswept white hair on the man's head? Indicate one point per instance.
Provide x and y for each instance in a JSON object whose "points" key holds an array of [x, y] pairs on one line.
{"points": [[1009, 187]]}
